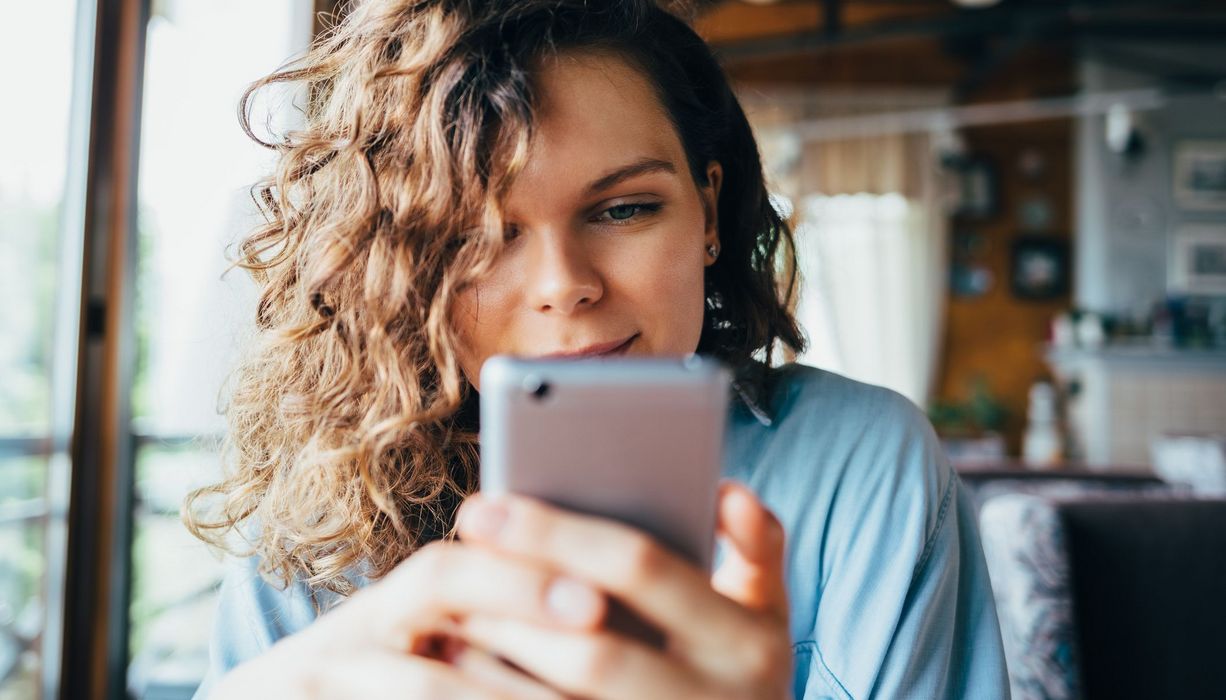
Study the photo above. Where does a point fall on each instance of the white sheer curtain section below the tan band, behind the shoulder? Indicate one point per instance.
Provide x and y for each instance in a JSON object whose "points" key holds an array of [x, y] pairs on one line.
{"points": [[874, 294]]}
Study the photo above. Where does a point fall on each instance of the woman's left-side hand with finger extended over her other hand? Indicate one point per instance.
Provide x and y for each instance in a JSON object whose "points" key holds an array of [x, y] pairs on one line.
{"points": [[398, 637]]}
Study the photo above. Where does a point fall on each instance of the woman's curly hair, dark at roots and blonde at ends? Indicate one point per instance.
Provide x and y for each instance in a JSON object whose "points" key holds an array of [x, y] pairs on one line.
{"points": [[352, 435]]}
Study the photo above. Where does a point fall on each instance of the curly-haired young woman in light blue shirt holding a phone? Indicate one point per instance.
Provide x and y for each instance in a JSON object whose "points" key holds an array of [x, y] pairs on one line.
{"points": [[541, 177]]}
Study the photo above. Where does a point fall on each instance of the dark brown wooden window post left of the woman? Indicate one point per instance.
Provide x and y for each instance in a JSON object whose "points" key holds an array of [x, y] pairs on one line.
{"points": [[93, 631]]}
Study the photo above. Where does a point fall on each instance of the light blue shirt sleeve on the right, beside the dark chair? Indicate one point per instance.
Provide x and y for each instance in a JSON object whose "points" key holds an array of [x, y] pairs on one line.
{"points": [[907, 607]]}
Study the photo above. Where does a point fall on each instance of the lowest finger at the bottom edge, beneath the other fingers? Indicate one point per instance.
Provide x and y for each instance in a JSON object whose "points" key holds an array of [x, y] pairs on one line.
{"points": [[600, 666]]}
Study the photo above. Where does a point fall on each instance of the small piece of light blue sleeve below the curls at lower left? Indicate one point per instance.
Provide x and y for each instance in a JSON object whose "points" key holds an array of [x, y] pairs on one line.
{"points": [[252, 616]]}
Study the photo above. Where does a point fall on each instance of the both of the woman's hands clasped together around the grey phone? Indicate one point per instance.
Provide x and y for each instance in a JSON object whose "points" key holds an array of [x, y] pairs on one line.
{"points": [[529, 585]]}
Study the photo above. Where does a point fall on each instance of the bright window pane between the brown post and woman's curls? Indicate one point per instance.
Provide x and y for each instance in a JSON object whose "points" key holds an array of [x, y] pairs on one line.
{"points": [[194, 200]]}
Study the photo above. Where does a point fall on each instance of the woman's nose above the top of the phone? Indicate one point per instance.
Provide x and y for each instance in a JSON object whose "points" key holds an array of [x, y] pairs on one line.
{"points": [[563, 279]]}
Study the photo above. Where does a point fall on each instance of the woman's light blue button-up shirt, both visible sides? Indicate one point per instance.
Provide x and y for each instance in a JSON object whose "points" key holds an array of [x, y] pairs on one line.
{"points": [[888, 587]]}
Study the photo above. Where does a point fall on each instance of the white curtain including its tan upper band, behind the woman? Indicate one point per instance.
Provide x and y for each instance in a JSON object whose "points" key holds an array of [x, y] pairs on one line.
{"points": [[871, 227]]}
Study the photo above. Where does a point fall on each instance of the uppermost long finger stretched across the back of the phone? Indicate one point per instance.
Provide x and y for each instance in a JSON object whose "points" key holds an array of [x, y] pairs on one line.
{"points": [[653, 582]]}
